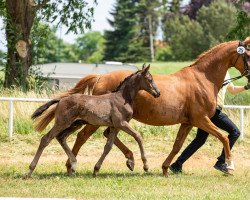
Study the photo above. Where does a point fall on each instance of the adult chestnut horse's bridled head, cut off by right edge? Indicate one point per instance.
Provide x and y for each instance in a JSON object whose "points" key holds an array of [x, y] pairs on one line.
{"points": [[241, 58]]}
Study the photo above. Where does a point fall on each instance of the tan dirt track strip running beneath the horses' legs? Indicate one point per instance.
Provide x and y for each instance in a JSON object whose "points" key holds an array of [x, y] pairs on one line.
{"points": [[21, 150]]}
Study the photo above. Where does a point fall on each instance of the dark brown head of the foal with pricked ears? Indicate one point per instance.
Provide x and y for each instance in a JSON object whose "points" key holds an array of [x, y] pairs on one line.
{"points": [[147, 83]]}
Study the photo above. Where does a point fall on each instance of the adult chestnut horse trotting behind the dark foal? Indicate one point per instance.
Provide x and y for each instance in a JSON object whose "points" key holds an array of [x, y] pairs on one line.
{"points": [[187, 97]]}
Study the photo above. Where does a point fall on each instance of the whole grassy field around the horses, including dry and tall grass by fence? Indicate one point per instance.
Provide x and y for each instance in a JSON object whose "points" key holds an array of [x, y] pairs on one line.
{"points": [[115, 181]]}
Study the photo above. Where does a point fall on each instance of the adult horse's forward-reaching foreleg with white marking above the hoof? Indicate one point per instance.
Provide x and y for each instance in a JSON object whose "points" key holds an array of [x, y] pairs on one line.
{"points": [[206, 125]]}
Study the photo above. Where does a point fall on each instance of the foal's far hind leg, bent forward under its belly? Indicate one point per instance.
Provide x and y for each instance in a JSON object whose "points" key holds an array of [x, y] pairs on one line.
{"points": [[62, 140]]}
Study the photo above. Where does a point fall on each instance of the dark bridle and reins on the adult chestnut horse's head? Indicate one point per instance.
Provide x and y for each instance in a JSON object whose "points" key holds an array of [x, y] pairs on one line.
{"points": [[241, 50]]}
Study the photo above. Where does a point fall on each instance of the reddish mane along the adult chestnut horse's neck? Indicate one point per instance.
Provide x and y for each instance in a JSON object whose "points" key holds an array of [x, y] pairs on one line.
{"points": [[210, 54]]}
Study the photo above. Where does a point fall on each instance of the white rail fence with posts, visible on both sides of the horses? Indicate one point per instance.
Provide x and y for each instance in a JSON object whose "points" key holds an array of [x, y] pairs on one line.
{"points": [[12, 99]]}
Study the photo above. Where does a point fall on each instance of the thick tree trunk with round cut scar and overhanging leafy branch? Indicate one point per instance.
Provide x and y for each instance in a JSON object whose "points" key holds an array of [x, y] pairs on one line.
{"points": [[19, 18]]}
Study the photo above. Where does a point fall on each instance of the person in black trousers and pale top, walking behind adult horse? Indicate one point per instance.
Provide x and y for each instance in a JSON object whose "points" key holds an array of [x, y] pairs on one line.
{"points": [[221, 120]]}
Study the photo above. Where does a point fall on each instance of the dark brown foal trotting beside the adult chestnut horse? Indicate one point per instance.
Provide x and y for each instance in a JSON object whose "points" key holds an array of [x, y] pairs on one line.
{"points": [[113, 110]]}
